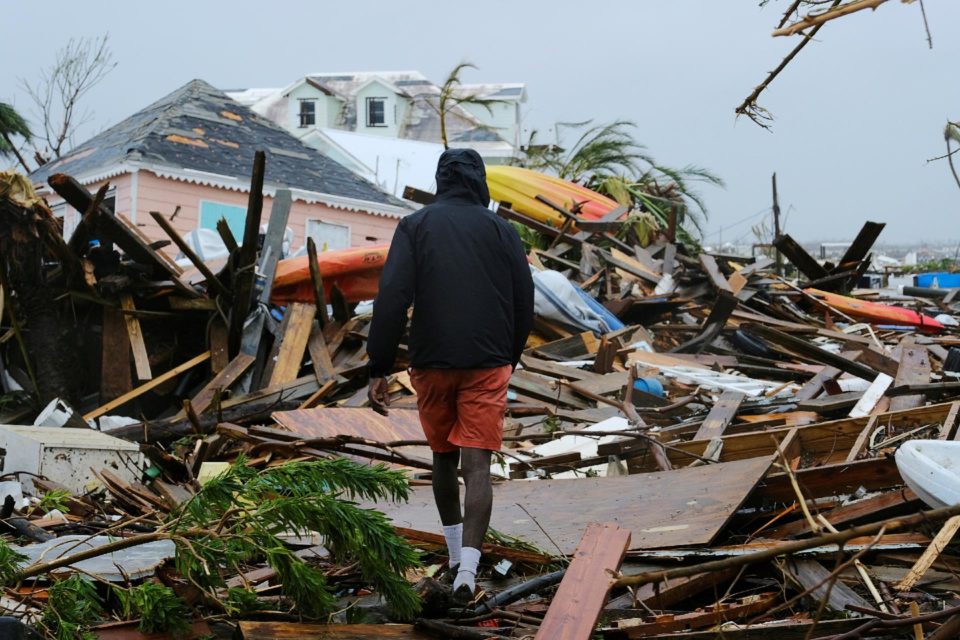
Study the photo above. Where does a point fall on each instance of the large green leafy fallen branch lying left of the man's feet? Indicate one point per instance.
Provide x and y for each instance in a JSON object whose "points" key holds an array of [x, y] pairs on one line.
{"points": [[244, 511]]}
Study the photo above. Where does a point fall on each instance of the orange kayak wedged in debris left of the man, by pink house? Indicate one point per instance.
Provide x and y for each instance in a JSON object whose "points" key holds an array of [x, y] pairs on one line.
{"points": [[356, 272]]}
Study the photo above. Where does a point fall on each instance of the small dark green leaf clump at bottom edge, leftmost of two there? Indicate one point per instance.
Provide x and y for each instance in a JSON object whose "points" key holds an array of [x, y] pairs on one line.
{"points": [[73, 605]]}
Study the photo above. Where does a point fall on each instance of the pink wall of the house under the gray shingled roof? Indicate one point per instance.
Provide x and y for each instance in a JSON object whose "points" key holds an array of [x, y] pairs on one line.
{"points": [[154, 193]]}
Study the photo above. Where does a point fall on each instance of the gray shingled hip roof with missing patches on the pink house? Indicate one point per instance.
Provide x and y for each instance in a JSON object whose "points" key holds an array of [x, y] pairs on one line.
{"points": [[198, 127]]}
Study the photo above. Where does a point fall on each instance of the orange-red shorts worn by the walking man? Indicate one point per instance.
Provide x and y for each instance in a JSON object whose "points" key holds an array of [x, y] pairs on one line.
{"points": [[462, 407]]}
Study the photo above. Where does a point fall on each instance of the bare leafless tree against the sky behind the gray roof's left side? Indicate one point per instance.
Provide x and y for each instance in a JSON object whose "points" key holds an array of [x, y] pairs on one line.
{"points": [[79, 67]]}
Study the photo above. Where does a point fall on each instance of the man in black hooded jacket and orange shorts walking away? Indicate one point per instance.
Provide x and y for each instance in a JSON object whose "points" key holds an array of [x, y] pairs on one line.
{"points": [[465, 272]]}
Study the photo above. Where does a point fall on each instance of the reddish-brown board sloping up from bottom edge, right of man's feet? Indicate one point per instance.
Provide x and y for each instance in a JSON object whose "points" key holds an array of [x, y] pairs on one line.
{"points": [[577, 605]]}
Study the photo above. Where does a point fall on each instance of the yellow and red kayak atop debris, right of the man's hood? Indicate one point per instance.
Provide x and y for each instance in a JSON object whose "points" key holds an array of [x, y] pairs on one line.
{"points": [[520, 187]]}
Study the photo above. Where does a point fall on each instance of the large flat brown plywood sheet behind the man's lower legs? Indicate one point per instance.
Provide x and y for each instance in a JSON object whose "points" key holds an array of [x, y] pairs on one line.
{"points": [[664, 509]]}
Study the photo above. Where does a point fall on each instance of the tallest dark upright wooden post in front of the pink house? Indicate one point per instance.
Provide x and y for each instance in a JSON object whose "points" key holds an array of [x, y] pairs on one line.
{"points": [[244, 274]]}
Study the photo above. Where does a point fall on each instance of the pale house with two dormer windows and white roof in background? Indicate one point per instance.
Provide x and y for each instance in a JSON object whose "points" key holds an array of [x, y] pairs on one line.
{"points": [[393, 105]]}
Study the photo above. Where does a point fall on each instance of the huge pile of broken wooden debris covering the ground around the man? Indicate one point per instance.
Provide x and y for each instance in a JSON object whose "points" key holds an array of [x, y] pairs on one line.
{"points": [[719, 461]]}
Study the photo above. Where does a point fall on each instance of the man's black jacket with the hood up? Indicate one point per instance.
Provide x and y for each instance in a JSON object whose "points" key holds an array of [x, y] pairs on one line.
{"points": [[464, 270]]}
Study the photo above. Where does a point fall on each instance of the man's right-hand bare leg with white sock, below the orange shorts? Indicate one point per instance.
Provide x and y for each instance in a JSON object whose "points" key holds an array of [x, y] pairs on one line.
{"points": [[477, 507]]}
